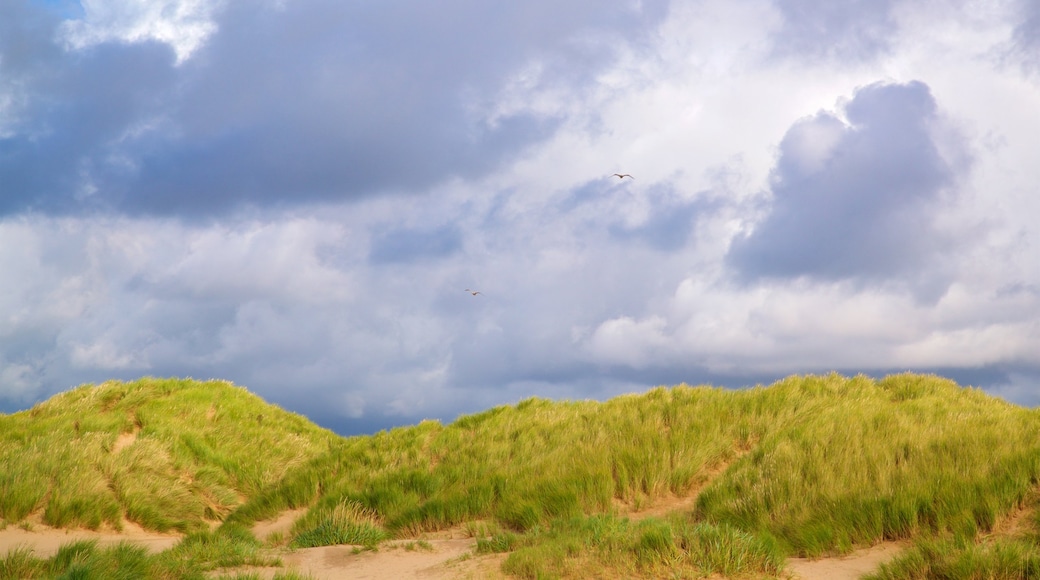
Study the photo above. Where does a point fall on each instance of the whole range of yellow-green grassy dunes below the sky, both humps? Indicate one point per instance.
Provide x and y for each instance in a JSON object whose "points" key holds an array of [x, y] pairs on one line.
{"points": [[811, 466]]}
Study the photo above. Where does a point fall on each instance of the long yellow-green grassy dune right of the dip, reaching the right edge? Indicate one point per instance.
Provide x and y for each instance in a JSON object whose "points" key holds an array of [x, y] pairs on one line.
{"points": [[813, 466]]}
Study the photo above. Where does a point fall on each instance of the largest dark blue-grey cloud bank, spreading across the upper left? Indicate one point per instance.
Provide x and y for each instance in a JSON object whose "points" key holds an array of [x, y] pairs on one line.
{"points": [[317, 100]]}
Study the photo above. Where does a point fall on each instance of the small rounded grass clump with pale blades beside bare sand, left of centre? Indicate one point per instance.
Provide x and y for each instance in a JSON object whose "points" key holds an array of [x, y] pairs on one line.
{"points": [[347, 522]]}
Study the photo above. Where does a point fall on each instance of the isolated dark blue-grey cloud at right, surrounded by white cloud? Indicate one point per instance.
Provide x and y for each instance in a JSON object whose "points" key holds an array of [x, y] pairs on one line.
{"points": [[856, 201]]}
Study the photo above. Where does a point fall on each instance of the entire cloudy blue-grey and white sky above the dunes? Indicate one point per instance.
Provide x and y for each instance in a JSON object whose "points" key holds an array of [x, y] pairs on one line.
{"points": [[299, 196]]}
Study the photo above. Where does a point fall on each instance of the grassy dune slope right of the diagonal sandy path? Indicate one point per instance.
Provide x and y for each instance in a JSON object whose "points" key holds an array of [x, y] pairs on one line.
{"points": [[888, 461]]}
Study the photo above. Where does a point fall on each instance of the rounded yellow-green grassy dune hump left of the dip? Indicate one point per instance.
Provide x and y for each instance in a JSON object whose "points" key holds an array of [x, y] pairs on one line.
{"points": [[169, 455]]}
